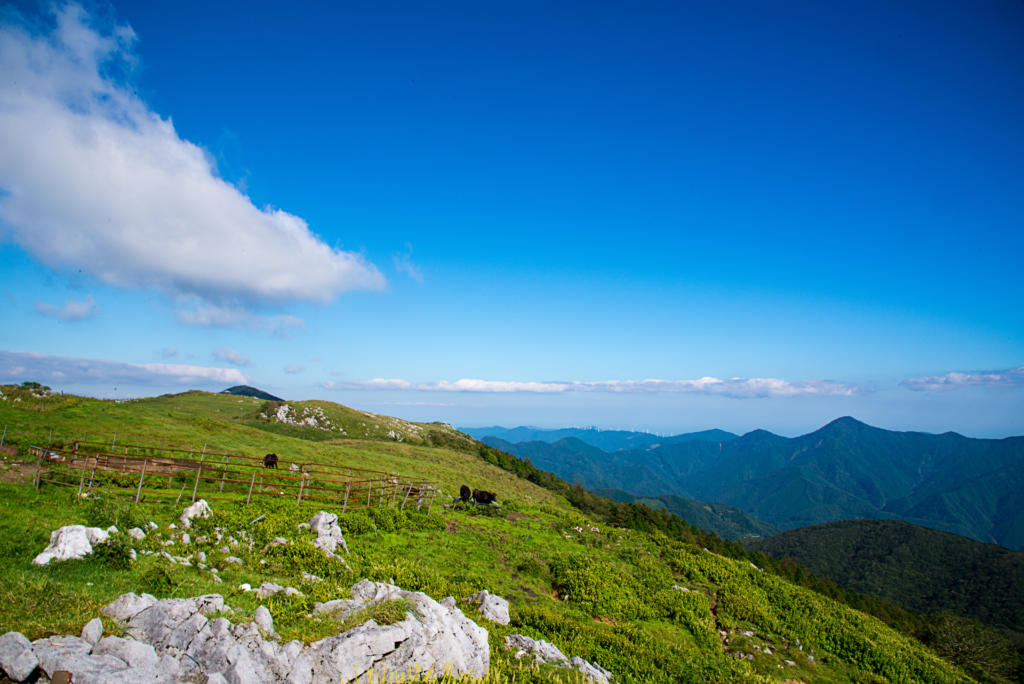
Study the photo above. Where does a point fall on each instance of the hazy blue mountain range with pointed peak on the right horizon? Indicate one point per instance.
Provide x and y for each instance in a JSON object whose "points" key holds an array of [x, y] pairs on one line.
{"points": [[846, 469]]}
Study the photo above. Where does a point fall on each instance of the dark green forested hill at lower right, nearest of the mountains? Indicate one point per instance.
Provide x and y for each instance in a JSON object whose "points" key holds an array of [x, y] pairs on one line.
{"points": [[921, 570]]}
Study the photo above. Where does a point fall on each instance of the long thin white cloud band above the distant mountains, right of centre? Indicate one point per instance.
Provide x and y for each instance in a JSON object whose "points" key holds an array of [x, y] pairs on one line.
{"points": [[733, 388]]}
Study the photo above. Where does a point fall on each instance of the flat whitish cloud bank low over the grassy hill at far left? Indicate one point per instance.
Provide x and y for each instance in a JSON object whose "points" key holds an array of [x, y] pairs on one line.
{"points": [[22, 366]]}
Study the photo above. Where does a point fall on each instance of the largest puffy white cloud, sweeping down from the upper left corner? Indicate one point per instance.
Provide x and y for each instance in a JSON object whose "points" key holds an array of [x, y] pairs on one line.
{"points": [[92, 179]]}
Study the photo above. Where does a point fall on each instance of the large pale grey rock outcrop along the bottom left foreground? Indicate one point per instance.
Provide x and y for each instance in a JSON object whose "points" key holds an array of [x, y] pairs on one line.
{"points": [[175, 640]]}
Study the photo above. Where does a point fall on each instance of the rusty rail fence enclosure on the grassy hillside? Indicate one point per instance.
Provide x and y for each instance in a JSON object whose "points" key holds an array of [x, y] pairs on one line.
{"points": [[158, 475]]}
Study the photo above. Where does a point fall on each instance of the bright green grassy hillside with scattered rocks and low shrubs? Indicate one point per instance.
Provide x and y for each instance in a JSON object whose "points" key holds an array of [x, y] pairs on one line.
{"points": [[599, 592]]}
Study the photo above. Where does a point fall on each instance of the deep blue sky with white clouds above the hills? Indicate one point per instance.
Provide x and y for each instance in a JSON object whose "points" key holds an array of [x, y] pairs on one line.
{"points": [[513, 213]]}
